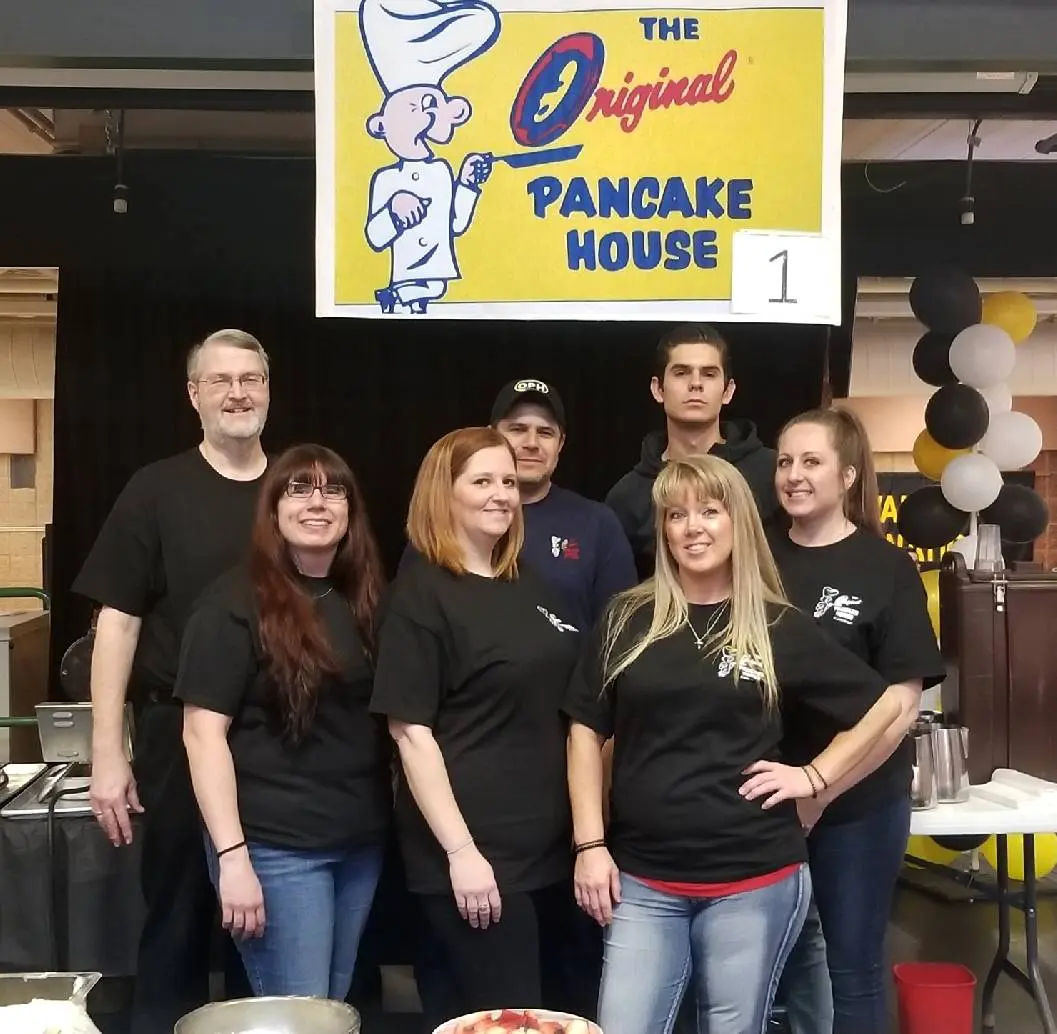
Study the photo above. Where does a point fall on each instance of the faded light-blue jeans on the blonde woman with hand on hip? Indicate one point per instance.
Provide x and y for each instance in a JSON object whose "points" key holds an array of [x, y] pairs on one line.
{"points": [[733, 947]]}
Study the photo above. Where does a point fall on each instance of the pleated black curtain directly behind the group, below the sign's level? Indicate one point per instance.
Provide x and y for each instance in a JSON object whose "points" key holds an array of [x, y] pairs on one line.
{"points": [[379, 394]]}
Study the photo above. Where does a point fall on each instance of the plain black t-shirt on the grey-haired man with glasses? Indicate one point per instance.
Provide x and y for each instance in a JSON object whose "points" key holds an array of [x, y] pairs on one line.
{"points": [[177, 526]]}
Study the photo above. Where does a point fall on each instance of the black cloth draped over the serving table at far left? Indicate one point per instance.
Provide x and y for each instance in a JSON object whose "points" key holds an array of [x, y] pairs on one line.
{"points": [[100, 911]]}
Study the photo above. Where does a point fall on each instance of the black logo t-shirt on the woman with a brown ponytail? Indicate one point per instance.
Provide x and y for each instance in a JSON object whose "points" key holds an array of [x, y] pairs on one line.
{"points": [[867, 595]]}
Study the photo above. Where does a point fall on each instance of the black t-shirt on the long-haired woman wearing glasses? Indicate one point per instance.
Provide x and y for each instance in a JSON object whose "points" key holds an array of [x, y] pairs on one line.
{"points": [[330, 789]]}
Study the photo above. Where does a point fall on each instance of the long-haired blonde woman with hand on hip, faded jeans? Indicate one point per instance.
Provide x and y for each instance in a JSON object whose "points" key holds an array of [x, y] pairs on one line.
{"points": [[702, 873]]}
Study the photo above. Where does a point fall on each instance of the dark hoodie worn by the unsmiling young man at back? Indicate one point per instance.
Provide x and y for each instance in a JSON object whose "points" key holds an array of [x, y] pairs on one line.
{"points": [[631, 497]]}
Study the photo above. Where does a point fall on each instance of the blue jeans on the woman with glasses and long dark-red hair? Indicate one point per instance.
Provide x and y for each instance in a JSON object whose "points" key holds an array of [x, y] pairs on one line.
{"points": [[317, 906]]}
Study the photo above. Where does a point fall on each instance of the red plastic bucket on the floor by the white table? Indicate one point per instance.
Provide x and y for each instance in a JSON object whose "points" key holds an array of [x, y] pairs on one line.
{"points": [[935, 998]]}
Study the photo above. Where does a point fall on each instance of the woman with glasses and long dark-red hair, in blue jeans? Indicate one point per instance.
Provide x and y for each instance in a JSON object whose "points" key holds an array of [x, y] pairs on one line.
{"points": [[290, 770]]}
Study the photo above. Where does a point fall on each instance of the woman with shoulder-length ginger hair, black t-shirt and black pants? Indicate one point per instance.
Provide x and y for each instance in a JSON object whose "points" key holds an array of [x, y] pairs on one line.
{"points": [[474, 660]]}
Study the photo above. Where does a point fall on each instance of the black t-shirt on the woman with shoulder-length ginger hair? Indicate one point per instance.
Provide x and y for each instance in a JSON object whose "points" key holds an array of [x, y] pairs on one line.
{"points": [[485, 663]]}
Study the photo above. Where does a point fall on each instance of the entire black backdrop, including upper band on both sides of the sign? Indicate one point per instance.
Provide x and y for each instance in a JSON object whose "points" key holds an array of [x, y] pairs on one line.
{"points": [[213, 243]]}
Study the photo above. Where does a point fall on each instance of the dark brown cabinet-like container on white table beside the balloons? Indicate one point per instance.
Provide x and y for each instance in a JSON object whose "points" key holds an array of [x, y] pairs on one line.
{"points": [[999, 639]]}
